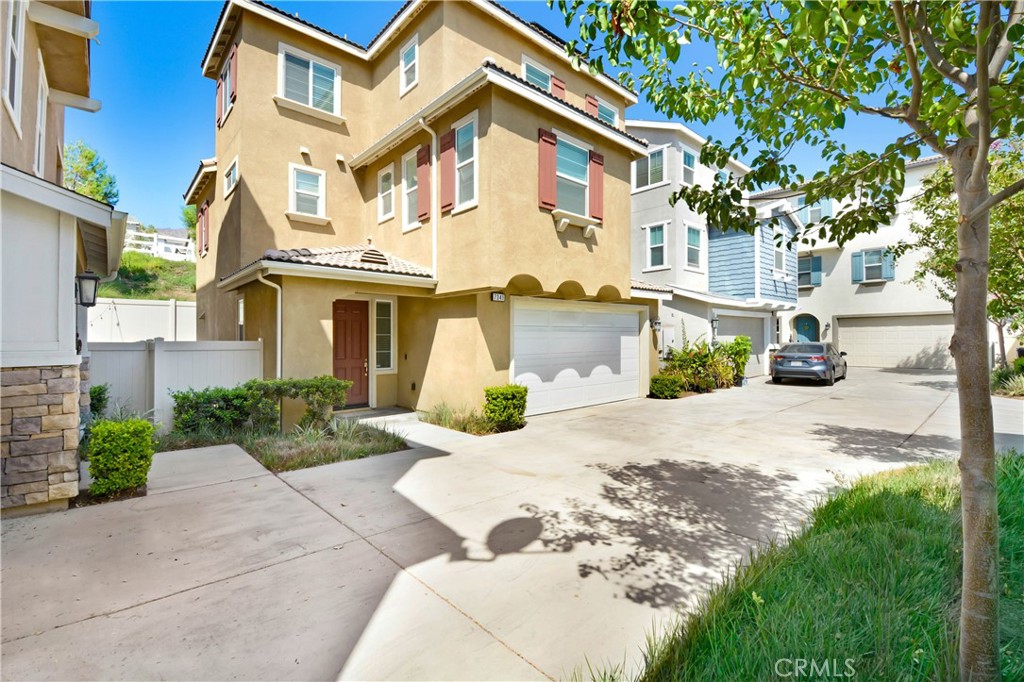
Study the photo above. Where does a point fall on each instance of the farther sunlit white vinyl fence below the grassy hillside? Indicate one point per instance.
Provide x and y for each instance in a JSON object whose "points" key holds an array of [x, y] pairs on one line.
{"points": [[137, 320]]}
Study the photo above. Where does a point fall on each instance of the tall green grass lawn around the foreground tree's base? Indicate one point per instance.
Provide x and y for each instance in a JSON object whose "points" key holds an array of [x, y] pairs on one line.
{"points": [[875, 578]]}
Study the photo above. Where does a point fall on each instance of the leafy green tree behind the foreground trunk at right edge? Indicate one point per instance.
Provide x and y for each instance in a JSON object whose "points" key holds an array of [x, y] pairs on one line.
{"points": [[936, 238]]}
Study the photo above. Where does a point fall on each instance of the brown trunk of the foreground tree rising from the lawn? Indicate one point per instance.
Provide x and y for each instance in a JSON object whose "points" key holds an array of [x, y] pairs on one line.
{"points": [[979, 631]]}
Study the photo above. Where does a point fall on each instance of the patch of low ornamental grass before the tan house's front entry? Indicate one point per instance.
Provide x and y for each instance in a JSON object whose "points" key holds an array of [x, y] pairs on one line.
{"points": [[301, 450]]}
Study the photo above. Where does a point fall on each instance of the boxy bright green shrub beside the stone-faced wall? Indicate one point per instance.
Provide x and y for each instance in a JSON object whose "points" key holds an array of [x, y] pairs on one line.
{"points": [[120, 455]]}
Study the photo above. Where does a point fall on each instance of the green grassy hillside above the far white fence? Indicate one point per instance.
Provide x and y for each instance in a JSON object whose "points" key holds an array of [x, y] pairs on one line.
{"points": [[143, 276]]}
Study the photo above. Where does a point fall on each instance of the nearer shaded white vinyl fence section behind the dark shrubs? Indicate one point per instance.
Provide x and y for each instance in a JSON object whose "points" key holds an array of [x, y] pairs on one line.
{"points": [[142, 374]]}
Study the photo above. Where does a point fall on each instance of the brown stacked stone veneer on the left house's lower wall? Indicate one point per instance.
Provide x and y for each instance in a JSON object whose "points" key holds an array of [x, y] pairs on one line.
{"points": [[39, 420]]}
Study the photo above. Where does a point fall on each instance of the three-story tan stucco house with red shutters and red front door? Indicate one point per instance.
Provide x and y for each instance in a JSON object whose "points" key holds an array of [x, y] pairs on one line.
{"points": [[443, 210]]}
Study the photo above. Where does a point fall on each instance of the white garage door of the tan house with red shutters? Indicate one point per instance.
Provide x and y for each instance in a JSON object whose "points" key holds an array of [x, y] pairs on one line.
{"points": [[575, 355]]}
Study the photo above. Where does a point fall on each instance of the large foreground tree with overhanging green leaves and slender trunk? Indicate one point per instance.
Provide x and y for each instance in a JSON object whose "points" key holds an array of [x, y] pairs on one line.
{"points": [[950, 75]]}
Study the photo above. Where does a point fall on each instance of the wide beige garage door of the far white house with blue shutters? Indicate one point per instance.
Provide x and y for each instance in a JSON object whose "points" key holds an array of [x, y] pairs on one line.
{"points": [[919, 343]]}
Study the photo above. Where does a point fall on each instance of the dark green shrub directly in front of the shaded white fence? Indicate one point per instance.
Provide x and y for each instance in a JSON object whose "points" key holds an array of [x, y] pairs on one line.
{"points": [[224, 411]]}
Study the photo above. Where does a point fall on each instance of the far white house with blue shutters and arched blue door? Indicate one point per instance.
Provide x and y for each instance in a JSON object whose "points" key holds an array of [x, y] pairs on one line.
{"points": [[862, 300]]}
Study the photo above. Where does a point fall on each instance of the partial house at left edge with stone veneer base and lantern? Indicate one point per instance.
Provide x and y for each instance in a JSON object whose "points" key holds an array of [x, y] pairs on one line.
{"points": [[49, 235]]}
